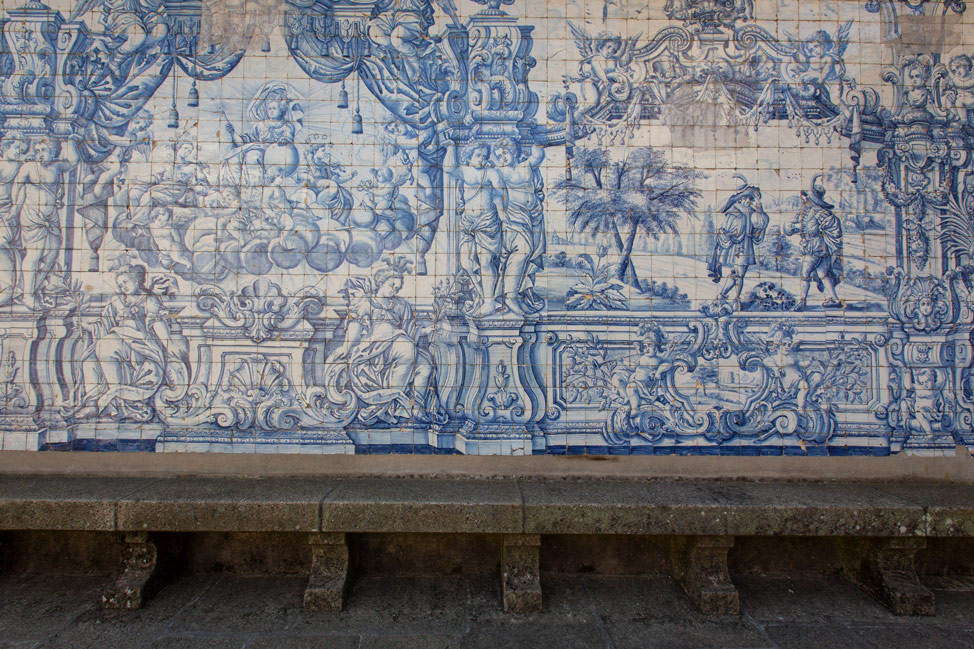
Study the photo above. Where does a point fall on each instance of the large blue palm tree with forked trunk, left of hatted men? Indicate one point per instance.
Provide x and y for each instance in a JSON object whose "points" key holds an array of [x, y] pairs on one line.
{"points": [[640, 195]]}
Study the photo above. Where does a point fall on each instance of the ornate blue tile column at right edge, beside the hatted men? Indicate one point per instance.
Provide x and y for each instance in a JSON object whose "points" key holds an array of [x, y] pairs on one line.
{"points": [[924, 155]]}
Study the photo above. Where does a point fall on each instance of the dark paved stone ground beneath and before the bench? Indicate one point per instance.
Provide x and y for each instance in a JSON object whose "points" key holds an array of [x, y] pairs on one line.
{"points": [[218, 611]]}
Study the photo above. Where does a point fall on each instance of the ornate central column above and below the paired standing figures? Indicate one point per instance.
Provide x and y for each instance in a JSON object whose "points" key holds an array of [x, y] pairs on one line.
{"points": [[501, 394]]}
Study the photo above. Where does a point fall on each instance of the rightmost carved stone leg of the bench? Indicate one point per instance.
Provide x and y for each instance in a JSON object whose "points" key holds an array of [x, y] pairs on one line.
{"points": [[885, 569]]}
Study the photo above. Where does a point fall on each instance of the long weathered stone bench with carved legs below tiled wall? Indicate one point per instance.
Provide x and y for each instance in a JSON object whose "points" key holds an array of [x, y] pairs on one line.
{"points": [[881, 526]]}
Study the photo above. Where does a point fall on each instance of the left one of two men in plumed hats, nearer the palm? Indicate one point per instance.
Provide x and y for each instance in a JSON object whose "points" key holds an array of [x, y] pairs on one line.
{"points": [[743, 227]]}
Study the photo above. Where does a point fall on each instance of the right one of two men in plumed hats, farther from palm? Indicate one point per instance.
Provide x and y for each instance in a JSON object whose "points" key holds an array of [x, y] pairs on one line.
{"points": [[821, 244]]}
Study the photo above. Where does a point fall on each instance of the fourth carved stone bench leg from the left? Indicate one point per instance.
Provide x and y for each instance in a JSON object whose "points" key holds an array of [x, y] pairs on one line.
{"points": [[700, 565]]}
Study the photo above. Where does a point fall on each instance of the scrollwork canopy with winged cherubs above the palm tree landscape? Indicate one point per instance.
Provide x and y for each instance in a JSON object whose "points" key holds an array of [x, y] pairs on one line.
{"points": [[750, 79]]}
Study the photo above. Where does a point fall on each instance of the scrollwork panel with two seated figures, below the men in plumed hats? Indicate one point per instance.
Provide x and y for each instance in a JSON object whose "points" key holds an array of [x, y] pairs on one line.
{"points": [[787, 387]]}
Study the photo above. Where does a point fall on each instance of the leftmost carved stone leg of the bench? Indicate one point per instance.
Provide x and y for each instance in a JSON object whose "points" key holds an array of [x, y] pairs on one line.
{"points": [[141, 575]]}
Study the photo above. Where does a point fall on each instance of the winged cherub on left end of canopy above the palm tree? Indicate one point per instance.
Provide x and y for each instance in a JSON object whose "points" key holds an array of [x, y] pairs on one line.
{"points": [[605, 64]]}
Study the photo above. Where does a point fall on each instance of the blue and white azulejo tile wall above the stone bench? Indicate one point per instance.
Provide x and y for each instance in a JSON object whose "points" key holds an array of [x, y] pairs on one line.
{"points": [[723, 227]]}
